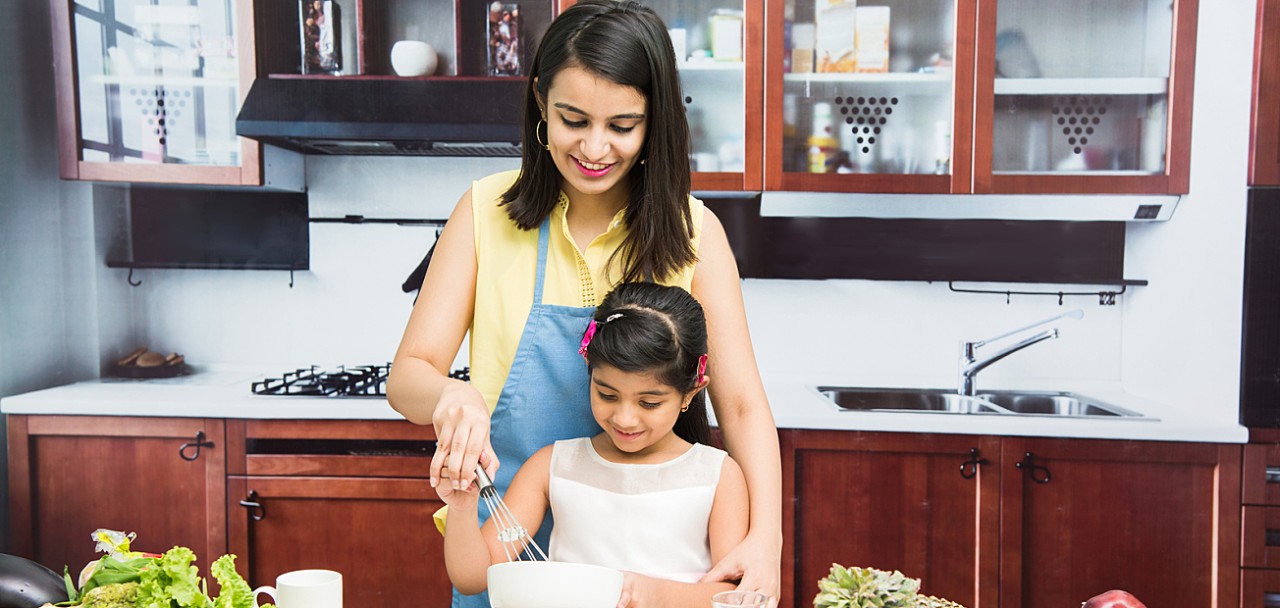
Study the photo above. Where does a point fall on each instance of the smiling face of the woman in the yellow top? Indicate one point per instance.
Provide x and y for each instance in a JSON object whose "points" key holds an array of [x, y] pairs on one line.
{"points": [[596, 130]]}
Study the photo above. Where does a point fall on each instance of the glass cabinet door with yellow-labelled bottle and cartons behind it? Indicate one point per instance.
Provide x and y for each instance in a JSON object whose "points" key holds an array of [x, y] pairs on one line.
{"points": [[870, 97]]}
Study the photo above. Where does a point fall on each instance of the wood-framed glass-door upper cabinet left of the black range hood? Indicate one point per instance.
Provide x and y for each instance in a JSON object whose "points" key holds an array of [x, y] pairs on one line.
{"points": [[149, 92]]}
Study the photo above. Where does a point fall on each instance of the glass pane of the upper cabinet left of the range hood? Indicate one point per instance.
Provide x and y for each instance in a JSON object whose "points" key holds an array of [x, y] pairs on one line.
{"points": [[158, 83]]}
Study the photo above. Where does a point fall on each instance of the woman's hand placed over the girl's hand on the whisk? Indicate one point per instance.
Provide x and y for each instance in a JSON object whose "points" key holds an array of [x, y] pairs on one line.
{"points": [[461, 422]]}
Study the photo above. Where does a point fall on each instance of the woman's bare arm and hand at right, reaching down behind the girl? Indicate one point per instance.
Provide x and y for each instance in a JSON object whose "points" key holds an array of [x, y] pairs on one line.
{"points": [[743, 414]]}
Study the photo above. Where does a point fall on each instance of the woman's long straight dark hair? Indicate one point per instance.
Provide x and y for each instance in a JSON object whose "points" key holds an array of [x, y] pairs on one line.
{"points": [[627, 44]]}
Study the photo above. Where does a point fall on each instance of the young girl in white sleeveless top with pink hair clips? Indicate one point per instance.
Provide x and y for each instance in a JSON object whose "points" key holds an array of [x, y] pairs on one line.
{"points": [[648, 496]]}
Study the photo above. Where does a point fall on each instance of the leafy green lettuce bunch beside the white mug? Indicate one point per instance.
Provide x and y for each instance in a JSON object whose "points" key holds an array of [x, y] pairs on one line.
{"points": [[126, 579]]}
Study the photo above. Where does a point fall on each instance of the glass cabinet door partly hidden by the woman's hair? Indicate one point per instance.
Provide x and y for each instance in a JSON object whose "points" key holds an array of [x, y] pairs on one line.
{"points": [[719, 49]]}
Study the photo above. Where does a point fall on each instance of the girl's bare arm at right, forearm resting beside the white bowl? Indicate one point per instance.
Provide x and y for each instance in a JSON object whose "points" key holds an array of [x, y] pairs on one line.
{"points": [[726, 529]]}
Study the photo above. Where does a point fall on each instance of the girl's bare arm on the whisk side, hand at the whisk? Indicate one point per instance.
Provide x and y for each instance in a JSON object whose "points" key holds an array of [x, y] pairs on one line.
{"points": [[527, 499]]}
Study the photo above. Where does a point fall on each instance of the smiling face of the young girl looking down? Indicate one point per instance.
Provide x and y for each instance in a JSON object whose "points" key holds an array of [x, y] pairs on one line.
{"points": [[637, 410]]}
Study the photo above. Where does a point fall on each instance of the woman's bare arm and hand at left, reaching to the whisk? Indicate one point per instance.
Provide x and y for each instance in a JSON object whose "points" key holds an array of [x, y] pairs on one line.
{"points": [[419, 386]]}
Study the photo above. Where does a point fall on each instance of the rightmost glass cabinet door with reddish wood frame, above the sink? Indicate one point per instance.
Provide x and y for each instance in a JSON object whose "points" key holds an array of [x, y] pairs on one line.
{"points": [[1078, 93]]}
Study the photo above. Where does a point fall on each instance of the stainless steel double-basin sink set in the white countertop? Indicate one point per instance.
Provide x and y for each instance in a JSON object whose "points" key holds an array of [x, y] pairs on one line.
{"points": [[991, 403]]}
